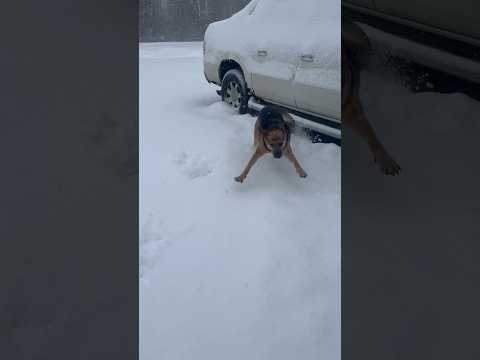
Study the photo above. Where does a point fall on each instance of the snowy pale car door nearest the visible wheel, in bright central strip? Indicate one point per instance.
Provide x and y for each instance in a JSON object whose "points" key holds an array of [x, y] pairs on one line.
{"points": [[273, 55]]}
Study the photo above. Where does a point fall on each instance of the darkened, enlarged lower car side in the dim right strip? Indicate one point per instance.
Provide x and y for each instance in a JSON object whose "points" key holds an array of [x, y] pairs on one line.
{"points": [[443, 35]]}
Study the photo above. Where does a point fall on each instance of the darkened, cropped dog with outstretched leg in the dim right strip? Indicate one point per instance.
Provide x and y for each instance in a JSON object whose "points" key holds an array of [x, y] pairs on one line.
{"points": [[354, 40]]}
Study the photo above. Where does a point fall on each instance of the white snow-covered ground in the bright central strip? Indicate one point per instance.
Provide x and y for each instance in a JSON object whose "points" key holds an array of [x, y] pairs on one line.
{"points": [[228, 270]]}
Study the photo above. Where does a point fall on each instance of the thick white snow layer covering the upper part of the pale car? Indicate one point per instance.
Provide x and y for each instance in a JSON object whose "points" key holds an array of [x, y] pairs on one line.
{"points": [[310, 24]]}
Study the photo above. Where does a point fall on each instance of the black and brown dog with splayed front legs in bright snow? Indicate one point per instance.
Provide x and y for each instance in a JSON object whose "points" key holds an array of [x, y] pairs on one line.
{"points": [[273, 129]]}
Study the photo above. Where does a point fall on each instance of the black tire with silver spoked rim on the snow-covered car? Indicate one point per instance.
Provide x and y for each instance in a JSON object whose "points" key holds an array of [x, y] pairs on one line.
{"points": [[234, 90]]}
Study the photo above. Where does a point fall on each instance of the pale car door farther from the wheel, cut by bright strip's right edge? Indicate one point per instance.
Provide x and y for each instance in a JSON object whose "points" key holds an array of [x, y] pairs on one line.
{"points": [[317, 82]]}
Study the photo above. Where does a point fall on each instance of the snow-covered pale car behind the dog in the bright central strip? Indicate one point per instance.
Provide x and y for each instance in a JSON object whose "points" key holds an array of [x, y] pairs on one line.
{"points": [[282, 52]]}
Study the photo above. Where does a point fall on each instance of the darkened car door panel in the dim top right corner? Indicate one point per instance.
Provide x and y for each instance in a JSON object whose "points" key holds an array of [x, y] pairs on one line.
{"points": [[461, 16]]}
